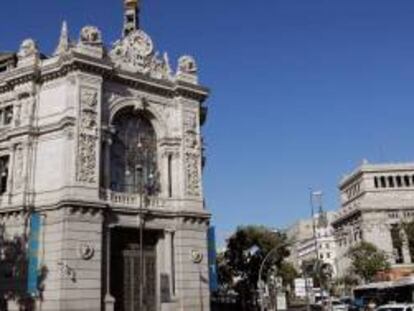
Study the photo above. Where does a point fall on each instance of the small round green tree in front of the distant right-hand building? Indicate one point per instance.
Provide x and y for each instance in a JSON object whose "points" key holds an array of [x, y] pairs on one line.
{"points": [[367, 260]]}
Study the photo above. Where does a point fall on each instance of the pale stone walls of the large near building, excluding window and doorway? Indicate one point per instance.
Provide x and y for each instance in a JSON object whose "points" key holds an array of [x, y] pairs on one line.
{"points": [[61, 129]]}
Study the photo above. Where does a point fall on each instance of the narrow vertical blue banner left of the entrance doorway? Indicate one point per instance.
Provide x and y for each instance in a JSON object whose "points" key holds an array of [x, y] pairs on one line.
{"points": [[33, 253]]}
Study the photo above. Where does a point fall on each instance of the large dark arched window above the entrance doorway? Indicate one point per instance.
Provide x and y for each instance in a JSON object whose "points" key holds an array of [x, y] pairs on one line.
{"points": [[133, 154]]}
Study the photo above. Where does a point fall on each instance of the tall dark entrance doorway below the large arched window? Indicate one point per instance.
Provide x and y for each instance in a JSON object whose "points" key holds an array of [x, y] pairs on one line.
{"points": [[126, 269]]}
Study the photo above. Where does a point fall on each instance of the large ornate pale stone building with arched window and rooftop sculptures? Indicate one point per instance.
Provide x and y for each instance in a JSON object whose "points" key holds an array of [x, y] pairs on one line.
{"points": [[104, 146]]}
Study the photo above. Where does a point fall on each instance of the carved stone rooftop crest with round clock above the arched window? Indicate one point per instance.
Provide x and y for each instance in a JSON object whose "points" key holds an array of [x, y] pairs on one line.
{"points": [[135, 53]]}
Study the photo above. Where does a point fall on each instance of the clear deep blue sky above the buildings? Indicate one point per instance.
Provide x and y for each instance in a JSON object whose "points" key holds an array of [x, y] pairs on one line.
{"points": [[302, 90]]}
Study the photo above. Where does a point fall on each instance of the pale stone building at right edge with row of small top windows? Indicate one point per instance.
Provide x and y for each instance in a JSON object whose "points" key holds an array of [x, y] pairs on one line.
{"points": [[375, 200]]}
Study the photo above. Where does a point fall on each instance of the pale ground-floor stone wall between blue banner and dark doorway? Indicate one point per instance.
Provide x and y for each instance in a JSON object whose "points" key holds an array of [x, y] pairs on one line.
{"points": [[73, 282]]}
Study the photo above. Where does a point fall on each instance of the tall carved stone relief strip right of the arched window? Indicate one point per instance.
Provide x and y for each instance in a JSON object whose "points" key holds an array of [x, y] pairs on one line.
{"points": [[192, 155]]}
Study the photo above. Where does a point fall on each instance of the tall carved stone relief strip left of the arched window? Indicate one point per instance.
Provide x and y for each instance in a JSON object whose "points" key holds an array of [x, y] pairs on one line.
{"points": [[88, 135]]}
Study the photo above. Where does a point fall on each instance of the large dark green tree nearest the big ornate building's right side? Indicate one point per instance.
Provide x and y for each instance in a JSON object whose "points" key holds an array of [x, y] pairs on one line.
{"points": [[246, 249]]}
